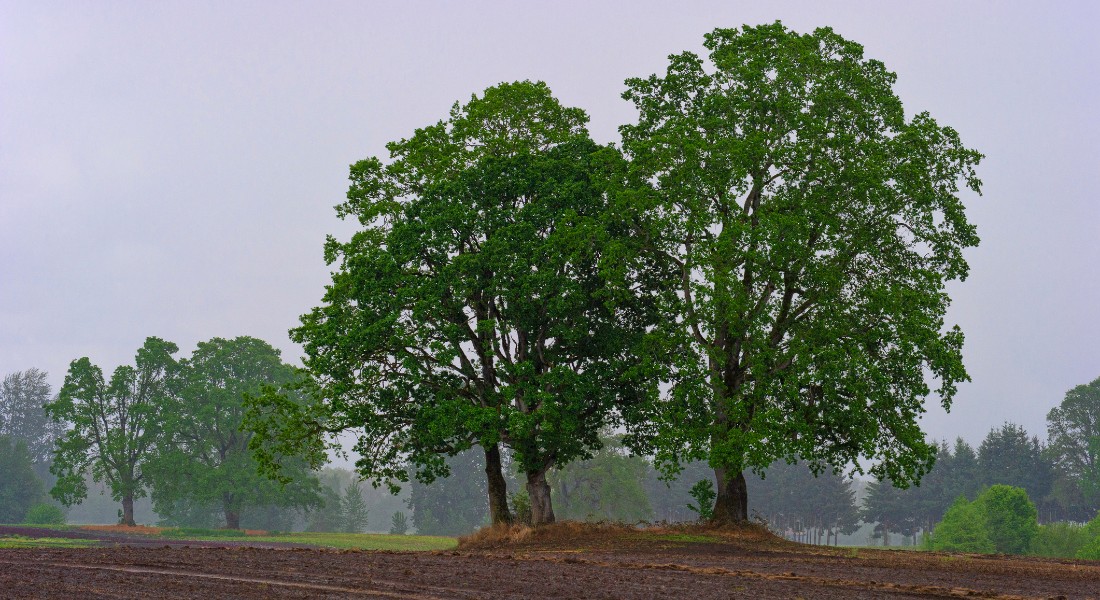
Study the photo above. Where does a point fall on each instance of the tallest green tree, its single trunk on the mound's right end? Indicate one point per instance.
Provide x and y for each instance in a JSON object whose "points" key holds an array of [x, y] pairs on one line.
{"points": [[813, 230]]}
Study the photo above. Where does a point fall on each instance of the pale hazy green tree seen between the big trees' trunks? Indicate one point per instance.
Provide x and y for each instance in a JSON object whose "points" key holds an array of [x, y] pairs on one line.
{"points": [[608, 487]]}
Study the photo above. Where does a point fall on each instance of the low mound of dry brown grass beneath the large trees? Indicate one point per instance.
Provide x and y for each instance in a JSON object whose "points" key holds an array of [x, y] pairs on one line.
{"points": [[575, 536]]}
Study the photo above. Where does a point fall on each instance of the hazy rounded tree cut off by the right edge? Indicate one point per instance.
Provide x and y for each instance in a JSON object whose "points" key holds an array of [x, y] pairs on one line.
{"points": [[1074, 440]]}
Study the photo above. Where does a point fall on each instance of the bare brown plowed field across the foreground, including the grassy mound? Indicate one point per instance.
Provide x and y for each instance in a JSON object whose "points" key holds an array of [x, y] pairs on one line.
{"points": [[567, 562]]}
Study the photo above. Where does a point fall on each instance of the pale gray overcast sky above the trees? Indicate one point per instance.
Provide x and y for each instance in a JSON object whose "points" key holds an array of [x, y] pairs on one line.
{"points": [[170, 169]]}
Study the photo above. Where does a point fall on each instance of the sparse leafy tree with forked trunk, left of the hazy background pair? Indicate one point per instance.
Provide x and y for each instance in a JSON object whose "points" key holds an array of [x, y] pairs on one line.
{"points": [[115, 426]]}
